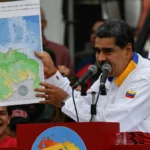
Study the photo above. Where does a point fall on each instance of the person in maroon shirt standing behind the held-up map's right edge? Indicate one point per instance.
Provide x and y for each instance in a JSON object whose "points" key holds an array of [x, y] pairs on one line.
{"points": [[62, 54]]}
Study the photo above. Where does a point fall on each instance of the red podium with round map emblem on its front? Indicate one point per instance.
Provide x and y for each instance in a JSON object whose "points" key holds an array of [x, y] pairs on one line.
{"points": [[95, 135]]}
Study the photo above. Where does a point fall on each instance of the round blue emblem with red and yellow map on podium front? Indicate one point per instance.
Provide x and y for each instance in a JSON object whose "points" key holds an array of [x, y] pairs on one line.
{"points": [[58, 138]]}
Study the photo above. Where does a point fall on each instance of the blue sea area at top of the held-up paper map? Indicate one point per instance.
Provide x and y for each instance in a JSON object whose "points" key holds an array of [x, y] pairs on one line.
{"points": [[21, 30]]}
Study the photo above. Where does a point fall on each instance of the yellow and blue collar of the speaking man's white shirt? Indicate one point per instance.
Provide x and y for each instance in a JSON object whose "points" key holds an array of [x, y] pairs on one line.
{"points": [[131, 66]]}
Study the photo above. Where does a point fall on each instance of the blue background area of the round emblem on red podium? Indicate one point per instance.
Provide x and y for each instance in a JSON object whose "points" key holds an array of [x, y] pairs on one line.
{"points": [[60, 134]]}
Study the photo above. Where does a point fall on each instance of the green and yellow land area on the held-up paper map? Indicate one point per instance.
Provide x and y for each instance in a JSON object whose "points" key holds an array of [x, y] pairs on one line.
{"points": [[16, 67]]}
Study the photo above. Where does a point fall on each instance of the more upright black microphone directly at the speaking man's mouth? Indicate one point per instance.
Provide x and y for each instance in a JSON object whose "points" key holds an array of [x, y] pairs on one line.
{"points": [[106, 69]]}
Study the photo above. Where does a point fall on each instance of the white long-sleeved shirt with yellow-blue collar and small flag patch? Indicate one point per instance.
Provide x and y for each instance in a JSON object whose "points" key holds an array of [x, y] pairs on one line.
{"points": [[127, 100]]}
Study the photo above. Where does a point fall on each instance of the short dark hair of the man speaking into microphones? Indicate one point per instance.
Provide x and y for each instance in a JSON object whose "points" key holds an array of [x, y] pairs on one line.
{"points": [[118, 29]]}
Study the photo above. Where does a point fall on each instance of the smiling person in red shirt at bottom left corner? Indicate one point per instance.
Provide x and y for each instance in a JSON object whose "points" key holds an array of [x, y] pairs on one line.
{"points": [[5, 140]]}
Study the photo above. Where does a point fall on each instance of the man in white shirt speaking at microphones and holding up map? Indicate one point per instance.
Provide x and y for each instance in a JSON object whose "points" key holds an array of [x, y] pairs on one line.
{"points": [[128, 97]]}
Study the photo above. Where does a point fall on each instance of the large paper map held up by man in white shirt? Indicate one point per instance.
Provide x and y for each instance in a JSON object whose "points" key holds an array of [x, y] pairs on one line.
{"points": [[20, 70]]}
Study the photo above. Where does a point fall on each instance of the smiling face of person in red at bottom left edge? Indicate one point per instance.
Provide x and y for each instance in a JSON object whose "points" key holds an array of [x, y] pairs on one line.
{"points": [[4, 120]]}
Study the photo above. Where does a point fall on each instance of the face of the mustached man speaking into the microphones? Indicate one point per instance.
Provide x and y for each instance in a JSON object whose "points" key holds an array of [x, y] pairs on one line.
{"points": [[107, 51]]}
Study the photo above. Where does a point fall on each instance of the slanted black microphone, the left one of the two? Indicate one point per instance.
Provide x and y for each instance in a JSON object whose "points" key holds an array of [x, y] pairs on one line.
{"points": [[91, 71]]}
